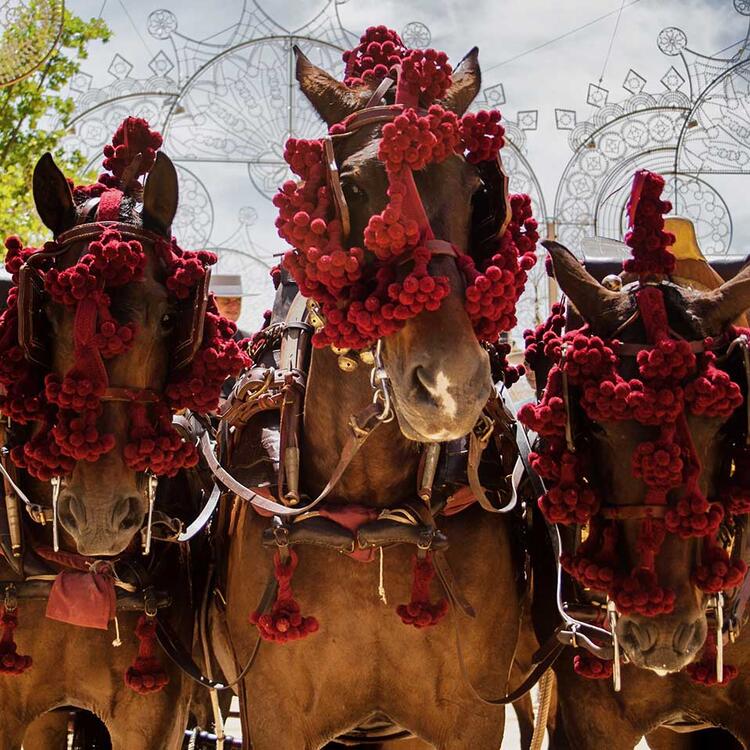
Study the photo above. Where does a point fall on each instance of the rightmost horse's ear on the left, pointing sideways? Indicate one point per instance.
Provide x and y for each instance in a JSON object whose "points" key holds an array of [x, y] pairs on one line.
{"points": [[597, 305]]}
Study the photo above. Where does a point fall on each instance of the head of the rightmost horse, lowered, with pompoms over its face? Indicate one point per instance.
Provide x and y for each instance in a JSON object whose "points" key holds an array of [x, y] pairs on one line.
{"points": [[673, 548]]}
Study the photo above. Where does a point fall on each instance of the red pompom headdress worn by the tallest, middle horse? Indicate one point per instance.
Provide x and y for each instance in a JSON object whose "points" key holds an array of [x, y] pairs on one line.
{"points": [[360, 297]]}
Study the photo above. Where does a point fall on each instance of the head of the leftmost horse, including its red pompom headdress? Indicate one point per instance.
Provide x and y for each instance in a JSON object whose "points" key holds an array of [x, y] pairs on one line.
{"points": [[102, 314]]}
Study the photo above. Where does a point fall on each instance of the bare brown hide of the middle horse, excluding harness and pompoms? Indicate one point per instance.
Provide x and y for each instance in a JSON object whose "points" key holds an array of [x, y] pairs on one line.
{"points": [[364, 662]]}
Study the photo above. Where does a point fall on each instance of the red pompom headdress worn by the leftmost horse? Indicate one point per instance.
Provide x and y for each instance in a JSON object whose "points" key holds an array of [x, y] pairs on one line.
{"points": [[67, 408]]}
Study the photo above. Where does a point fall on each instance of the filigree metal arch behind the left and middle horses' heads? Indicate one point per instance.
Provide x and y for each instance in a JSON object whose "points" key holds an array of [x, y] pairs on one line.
{"points": [[192, 97]]}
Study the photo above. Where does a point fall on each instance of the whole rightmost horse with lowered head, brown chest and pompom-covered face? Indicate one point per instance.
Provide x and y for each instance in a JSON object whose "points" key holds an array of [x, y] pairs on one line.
{"points": [[664, 681]]}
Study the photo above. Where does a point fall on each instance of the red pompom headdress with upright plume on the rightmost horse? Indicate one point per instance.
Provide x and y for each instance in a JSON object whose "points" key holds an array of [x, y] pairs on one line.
{"points": [[673, 381]]}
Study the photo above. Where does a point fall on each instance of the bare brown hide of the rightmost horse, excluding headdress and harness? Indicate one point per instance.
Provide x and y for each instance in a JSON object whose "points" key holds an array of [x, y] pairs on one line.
{"points": [[654, 690]]}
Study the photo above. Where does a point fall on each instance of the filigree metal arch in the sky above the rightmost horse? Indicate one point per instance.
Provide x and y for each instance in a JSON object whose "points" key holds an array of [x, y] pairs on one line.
{"points": [[675, 132]]}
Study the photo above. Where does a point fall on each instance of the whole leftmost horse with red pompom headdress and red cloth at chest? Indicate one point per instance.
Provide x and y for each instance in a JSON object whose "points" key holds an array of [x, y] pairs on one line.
{"points": [[91, 517]]}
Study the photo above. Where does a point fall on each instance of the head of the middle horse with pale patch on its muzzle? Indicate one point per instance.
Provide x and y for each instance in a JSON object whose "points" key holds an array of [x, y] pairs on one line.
{"points": [[438, 370]]}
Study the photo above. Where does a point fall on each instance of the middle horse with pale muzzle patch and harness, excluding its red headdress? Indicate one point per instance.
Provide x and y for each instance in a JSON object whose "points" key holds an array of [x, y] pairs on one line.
{"points": [[365, 667]]}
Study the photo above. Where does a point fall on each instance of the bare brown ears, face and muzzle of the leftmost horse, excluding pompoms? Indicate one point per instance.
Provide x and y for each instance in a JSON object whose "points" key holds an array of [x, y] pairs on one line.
{"points": [[103, 502]]}
